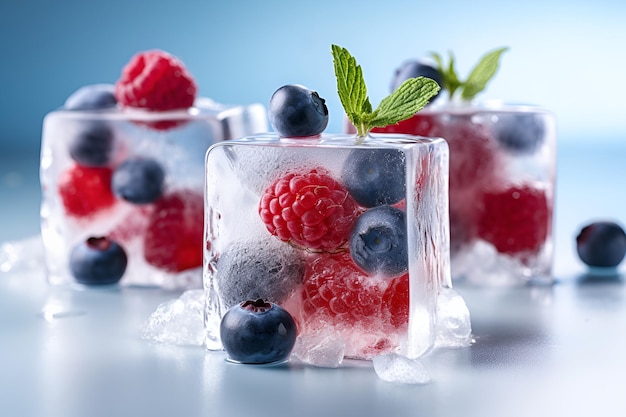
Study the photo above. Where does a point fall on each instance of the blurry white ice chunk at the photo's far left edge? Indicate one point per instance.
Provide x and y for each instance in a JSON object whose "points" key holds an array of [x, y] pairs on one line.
{"points": [[22, 255]]}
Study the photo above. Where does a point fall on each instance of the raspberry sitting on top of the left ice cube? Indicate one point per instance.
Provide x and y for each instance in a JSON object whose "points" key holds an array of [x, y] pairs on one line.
{"points": [[155, 80]]}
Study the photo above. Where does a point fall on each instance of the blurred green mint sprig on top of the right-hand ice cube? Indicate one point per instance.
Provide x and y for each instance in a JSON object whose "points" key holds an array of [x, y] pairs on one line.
{"points": [[476, 81]]}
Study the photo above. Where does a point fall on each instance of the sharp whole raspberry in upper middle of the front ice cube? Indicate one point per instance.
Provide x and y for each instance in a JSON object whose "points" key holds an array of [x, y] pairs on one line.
{"points": [[310, 210]]}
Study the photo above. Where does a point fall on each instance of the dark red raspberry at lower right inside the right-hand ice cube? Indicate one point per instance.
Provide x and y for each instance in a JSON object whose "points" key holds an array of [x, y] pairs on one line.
{"points": [[515, 220]]}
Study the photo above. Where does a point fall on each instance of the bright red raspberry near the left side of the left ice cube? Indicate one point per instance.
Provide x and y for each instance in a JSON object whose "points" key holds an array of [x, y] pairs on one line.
{"points": [[84, 191]]}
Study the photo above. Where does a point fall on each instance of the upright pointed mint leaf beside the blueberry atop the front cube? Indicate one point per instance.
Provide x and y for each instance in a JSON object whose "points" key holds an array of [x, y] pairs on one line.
{"points": [[351, 87]]}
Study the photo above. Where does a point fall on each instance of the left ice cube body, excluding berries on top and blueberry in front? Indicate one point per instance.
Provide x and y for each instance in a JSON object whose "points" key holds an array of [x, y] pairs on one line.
{"points": [[84, 152]]}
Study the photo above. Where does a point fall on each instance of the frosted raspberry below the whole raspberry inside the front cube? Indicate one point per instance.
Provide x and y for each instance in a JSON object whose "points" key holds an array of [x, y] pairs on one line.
{"points": [[336, 289]]}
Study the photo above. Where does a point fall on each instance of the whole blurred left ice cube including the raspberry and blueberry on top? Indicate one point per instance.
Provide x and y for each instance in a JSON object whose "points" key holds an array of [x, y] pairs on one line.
{"points": [[123, 164]]}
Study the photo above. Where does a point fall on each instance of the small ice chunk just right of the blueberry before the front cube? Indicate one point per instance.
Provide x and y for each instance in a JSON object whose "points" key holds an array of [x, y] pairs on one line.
{"points": [[322, 349]]}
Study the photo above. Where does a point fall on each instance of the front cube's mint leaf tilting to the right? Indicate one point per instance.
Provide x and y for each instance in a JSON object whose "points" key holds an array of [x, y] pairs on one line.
{"points": [[409, 98]]}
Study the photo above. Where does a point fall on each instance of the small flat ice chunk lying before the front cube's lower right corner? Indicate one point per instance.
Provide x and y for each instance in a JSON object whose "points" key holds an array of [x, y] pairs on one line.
{"points": [[393, 367]]}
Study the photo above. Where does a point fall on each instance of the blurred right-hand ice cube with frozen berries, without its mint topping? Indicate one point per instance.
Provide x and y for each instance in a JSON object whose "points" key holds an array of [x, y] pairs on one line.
{"points": [[502, 180]]}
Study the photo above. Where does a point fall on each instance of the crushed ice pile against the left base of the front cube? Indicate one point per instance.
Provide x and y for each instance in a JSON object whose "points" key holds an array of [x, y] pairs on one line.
{"points": [[178, 321]]}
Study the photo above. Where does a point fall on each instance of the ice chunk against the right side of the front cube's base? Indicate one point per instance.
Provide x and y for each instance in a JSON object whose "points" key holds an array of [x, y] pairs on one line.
{"points": [[454, 327]]}
